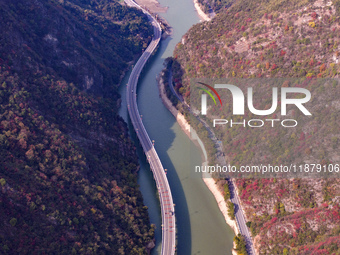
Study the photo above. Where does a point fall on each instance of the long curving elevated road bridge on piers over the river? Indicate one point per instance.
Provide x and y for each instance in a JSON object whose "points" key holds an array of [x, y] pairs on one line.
{"points": [[164, 191]]}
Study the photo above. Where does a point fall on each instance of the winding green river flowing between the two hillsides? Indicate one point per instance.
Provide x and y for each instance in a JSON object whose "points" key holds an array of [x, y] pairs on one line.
{"points": [[201, 228]]}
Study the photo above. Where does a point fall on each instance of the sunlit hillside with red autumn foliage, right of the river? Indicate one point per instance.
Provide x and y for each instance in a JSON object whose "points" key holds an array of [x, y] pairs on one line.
{"points": [[275, 39]]}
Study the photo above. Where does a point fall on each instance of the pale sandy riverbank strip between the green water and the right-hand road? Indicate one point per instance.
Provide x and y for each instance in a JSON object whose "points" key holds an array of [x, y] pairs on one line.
{"points": [[209, 181]]}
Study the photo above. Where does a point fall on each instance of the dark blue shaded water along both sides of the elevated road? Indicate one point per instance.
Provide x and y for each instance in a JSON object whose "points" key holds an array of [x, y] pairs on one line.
{"points": [[145, 178]]}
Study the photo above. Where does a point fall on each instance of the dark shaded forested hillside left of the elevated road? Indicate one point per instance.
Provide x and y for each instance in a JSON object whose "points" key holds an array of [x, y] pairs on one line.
{"points": [[68, 171]]}
